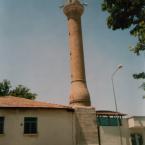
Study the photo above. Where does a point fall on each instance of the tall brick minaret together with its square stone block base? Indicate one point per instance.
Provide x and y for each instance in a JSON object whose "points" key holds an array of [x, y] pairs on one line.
{"points": [[85, 115]]}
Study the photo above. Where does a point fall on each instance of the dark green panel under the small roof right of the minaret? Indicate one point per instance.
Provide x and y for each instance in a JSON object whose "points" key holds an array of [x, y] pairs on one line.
{"points": [[108, 121]]}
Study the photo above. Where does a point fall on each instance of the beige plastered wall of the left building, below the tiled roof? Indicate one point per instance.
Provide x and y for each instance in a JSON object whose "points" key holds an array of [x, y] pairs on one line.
{"points": [[55, 127]]}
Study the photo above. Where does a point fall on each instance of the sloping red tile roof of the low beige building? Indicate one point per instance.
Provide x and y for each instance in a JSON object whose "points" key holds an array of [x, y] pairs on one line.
{"points": [[17, 102]]}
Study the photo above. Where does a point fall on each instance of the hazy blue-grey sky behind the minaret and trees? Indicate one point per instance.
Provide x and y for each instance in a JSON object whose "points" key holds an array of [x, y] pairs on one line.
{"points": [[34, 52]]}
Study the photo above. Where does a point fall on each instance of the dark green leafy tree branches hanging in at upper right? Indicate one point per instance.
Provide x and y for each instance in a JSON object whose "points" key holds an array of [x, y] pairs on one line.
{"points": [[128, 14]]}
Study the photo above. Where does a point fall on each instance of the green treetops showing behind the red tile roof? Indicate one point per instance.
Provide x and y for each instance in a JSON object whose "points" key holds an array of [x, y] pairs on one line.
{"points": [[19, 91]]}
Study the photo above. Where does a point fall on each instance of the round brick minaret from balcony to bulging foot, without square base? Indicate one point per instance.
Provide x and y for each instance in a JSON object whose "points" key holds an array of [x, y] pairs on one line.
{"points": [[79, 95]]}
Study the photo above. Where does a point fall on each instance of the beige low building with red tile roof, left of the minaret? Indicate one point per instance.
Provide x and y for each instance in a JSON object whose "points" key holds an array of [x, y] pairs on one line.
{"points": [[27, 122]]}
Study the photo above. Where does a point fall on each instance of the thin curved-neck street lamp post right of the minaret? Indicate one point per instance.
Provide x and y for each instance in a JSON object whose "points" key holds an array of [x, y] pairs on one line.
{"points": [[115, 101]]}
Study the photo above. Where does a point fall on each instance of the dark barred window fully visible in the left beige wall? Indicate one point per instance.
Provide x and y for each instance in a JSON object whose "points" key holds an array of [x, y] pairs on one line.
{"points": [[30, 125]]}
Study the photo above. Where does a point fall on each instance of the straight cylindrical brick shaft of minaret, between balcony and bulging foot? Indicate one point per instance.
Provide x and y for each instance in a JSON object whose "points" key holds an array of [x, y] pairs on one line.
{"points": [[76, 50]]}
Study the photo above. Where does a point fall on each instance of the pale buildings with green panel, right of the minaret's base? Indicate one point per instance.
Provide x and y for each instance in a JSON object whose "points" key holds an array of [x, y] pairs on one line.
{"points": [[130, 131]]}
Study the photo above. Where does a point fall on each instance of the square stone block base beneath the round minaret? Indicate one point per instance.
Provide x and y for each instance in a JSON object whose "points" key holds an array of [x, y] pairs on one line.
{"points": [[86, 128]]}
